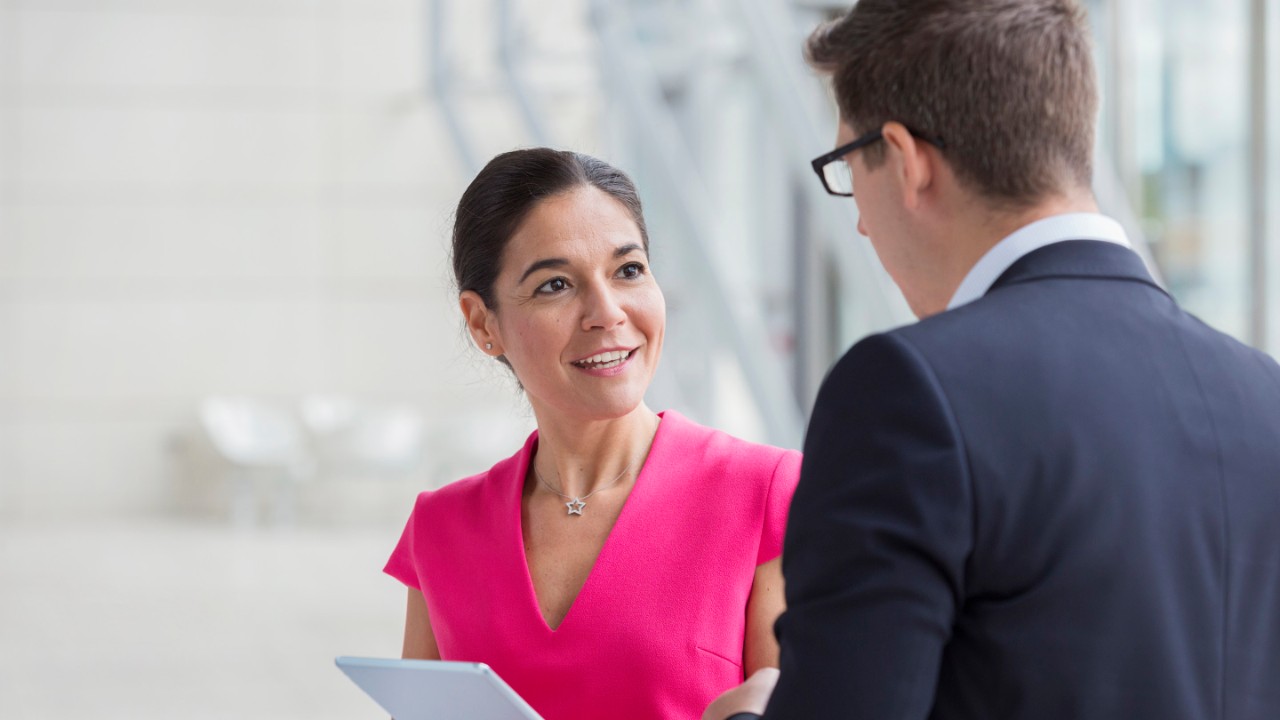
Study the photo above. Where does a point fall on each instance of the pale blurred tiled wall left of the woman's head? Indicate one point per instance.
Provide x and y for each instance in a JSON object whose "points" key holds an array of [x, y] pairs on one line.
{"points": [[203, 197]]}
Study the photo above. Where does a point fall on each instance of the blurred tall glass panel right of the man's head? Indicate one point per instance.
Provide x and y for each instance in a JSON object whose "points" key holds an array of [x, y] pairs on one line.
{"points": [[1190, 145]]}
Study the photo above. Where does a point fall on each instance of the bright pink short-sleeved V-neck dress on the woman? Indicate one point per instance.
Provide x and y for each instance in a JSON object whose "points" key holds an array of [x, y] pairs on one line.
{"points": [[657, 631]]}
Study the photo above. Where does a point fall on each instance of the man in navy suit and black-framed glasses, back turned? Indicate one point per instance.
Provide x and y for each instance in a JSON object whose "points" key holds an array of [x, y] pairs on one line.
{"points": [[1058, 495]]}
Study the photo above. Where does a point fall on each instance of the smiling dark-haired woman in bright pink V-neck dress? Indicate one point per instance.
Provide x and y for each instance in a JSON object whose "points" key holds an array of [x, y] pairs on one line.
{"points": [[623, 563]]}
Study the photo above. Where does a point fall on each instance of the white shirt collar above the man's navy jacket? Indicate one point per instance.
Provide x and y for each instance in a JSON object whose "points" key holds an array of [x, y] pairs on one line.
{"points": [[1057, 229]]}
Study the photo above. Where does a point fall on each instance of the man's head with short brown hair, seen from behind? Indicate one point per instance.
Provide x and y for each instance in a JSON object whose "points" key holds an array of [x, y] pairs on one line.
{"points": [[975, 119]]}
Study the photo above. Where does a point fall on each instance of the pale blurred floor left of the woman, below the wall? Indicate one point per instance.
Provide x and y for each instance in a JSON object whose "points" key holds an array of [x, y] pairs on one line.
{"points": [[154, 619]]}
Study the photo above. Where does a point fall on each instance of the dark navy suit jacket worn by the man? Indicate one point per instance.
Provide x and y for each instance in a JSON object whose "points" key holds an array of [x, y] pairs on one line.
{"points": [[1060, 502]]}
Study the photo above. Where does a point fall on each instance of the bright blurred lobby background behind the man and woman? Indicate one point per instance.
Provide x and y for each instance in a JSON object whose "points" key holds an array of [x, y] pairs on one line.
{"points": [[230, 348]]}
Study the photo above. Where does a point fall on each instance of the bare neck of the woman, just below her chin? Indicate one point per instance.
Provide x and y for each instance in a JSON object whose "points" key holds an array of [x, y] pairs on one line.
{"points": [[580, 458]]}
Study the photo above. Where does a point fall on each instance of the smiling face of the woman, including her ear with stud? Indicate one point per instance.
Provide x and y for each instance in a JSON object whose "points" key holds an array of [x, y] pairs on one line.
{"points": [[580, 318]]}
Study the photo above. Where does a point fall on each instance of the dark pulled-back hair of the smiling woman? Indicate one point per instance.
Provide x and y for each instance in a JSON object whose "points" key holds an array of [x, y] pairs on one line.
{"points": [[508, 190]]}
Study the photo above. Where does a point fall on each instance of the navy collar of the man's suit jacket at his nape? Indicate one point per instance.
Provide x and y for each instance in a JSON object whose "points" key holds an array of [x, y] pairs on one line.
{"points": [[1077, 259]]}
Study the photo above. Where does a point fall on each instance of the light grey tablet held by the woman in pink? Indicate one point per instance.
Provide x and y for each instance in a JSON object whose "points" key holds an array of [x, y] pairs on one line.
{"points": [[437, 690]]}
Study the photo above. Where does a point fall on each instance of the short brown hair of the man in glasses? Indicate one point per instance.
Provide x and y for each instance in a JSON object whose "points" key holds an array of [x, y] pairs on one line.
{"points": [[1007, 85]]}
